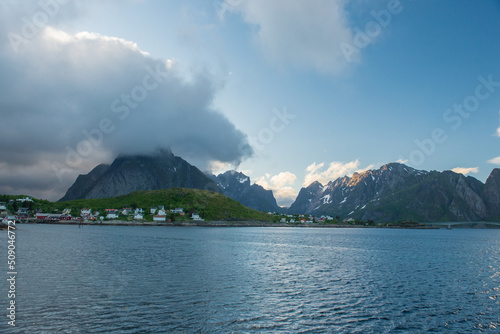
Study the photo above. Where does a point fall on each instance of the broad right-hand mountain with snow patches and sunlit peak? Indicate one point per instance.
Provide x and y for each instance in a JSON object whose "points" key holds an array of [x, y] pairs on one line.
{"points": [[398, 192]]}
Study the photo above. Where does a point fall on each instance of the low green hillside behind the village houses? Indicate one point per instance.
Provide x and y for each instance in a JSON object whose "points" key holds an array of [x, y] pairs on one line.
{"points": [[210, 205]]}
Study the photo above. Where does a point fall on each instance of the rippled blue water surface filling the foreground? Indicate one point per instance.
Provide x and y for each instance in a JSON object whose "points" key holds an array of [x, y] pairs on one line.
{"points": [[202, 280]]}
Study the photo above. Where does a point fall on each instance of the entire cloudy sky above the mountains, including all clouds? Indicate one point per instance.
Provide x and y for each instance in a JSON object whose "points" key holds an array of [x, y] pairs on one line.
{"points": [[287, 91]]}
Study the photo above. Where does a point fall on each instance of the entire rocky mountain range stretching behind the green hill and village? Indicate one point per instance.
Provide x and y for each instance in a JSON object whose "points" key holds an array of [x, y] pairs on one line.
{"points": [[392, 193]]}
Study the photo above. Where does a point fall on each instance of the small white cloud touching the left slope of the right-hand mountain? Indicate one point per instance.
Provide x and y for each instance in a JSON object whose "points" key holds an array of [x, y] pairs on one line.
{"points": [[335, 170]]}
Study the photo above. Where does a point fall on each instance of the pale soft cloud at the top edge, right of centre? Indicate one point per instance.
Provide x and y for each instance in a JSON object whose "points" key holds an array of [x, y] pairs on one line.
{"points": [[305, 34]]}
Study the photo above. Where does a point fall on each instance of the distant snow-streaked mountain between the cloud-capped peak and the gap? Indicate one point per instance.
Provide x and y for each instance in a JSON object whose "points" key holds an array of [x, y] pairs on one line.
{"points": [[237, 186]]}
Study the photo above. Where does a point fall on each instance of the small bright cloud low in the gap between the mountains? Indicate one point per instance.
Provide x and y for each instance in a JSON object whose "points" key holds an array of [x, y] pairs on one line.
{"points": [[280, 184]]}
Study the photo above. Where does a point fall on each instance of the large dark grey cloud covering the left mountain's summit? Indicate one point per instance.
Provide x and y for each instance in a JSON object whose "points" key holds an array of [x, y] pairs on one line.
{"points": [[68, 102]]}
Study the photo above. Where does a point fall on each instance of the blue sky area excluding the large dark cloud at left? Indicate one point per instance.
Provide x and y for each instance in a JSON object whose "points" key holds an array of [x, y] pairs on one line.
{"points": [[285, 57]]}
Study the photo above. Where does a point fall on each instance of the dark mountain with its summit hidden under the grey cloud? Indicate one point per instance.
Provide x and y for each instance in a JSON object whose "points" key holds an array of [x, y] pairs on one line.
{"points": [[126, 174]]}
